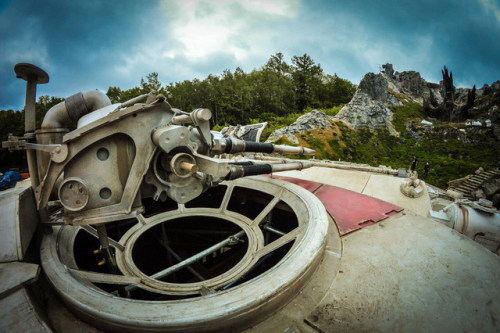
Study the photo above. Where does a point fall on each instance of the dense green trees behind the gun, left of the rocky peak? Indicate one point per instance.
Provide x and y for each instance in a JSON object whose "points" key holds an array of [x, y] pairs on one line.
{"points": [[277, 88]]}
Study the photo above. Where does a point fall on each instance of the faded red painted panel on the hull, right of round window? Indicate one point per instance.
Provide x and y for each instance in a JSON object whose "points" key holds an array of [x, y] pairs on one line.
{"points": [[350, 210]]}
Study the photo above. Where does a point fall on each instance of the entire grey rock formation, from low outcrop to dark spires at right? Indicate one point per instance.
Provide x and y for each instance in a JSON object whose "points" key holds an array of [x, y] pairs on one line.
{"points": [[370, 105]]}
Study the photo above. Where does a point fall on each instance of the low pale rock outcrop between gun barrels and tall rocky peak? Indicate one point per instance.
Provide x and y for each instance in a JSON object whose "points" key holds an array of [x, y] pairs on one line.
{"points": [[312, 120]]}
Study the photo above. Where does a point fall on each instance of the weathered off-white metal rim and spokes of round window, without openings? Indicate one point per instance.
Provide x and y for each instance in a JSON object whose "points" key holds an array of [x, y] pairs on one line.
{"points": [[230, 310]]}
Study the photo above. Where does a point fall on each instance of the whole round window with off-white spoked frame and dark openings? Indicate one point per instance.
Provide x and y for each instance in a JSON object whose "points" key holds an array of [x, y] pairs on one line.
{"points": [[224, 260]]}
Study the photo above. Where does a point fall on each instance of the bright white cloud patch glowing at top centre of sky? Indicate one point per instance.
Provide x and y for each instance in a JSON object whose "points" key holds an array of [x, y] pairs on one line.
{"points": [[229, 26]]}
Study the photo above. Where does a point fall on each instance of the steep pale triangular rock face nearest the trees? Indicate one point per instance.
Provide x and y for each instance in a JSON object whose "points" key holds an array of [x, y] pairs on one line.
{"points": [[369, 106]]}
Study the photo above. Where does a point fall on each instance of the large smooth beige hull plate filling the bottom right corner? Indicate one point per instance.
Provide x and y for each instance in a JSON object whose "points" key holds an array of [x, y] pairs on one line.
{"points": [[410, 274]]}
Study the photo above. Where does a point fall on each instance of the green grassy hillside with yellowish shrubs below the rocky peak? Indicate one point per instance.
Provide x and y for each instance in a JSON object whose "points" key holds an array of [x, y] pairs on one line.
{"points": [[450, 152]]}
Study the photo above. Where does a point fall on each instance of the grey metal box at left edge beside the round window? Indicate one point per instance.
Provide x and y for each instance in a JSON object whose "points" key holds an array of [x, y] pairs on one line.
{"points": [[18, 221]]}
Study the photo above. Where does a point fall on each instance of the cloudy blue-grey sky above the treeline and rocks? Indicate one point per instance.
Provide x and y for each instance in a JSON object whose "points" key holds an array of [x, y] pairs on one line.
{"points": [[93, 44]]}
